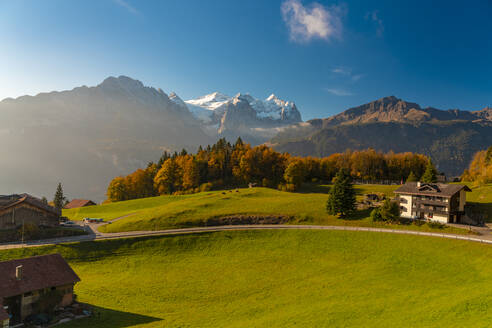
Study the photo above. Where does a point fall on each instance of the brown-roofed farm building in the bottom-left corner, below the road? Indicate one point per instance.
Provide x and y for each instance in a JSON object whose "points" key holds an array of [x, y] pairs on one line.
{"points": [[28, 285]]}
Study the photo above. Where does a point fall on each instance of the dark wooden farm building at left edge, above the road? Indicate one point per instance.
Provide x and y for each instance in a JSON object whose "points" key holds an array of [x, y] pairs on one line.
{"points": [[16, 210]]}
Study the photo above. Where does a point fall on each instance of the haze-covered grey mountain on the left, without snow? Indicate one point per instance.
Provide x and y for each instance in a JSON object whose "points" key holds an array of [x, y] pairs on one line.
{"points": [[85, 137]]}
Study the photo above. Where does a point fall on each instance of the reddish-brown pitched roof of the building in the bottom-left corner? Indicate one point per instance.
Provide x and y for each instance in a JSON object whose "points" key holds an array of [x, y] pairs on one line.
{"points": [[38, 272]]}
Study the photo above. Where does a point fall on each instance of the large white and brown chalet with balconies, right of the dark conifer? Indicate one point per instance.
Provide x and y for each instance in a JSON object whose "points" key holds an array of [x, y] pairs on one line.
{"points": [[432, 201]]}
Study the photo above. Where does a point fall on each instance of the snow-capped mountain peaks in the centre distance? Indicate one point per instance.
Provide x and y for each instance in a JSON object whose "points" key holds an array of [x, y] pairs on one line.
{"points": [[254, 119]]}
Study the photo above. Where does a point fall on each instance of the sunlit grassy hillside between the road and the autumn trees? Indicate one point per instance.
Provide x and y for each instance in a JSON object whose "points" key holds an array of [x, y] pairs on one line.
{"points": [[167, 212]]}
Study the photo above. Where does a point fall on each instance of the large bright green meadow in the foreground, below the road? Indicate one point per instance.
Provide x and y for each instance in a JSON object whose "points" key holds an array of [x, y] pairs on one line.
{"points": [[281, 279]]}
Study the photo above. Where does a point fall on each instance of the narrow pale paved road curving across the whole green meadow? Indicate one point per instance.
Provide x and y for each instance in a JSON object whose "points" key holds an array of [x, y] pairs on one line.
{"points": [[133, 234]]}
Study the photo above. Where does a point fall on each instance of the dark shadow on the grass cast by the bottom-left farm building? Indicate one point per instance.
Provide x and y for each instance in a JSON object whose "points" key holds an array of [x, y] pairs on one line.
{"points": [[103, 317]]}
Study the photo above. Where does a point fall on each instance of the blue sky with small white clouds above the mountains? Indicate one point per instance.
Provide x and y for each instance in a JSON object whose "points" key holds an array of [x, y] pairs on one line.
{"points": [[324, 55]]}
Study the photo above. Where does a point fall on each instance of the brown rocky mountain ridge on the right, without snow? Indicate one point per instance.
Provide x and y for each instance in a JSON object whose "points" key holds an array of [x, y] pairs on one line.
{"points": [[450, 137]]}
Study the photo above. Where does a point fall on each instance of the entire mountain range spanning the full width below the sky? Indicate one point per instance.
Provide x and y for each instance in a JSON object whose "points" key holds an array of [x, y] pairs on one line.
{"points": [[86, 136]]}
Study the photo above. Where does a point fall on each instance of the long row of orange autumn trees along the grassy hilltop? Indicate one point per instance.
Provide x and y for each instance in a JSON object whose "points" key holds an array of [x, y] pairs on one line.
{"points": [[224, 164]]}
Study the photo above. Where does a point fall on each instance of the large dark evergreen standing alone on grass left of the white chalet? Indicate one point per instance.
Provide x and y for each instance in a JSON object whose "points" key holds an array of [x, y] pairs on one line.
{"points": [[341, 199]]}
